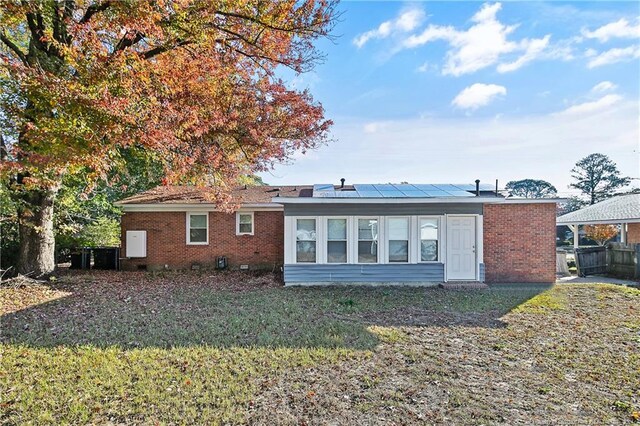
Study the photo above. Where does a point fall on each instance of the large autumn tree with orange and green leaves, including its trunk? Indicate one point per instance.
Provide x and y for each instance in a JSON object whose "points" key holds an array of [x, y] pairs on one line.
{"points": [[194, 82]]}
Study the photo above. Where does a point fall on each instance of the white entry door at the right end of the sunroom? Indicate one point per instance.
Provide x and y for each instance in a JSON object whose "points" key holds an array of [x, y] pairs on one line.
{"points": [[461, 248]]}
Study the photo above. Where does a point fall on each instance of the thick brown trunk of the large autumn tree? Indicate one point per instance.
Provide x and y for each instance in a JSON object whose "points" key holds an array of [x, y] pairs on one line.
{"points": [[35, 227]]}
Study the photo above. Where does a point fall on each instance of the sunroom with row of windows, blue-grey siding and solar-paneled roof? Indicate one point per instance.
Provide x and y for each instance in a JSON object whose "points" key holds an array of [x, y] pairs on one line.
{"points": [[392, 234]]}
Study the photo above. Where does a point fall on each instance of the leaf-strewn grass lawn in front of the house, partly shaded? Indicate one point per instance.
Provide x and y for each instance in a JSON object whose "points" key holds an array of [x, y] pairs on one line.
{"points": [[233, 348]]}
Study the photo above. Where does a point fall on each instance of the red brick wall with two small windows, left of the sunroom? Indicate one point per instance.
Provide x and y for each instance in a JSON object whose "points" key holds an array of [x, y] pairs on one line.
{"points": [[166, 240]]}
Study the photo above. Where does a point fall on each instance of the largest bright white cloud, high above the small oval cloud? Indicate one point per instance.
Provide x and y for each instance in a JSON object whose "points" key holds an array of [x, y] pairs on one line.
{"points": [[481, 45]]}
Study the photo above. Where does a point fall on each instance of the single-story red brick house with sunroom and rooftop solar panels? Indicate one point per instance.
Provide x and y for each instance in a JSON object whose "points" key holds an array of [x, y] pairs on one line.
{"points": [[347, 233]]}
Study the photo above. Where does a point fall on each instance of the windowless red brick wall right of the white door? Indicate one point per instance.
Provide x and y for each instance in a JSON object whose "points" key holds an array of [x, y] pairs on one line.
{"points": [[519, 242]]}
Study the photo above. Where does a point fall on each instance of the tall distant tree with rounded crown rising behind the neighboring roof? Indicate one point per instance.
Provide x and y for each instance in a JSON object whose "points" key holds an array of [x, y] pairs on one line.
{"points": [[597, 177]]}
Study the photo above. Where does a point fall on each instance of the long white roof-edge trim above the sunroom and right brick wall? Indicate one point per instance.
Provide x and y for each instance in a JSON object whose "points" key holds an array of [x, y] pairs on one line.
{"points": [[447, 200]]}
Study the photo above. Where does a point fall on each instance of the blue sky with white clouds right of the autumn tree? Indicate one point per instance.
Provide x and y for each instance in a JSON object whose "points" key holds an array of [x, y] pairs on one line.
{"points": [[457, 91]]}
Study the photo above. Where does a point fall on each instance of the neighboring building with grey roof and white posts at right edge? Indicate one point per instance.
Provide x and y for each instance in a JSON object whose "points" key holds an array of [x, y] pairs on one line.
{"points": [[623, 210]]}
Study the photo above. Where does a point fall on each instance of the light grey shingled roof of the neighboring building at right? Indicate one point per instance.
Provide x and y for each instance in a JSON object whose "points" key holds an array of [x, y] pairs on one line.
{"points": [[619, 209]]}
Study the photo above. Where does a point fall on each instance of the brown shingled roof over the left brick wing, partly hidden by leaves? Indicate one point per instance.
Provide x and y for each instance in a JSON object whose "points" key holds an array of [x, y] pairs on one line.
{"points": [[198, 195]]}
